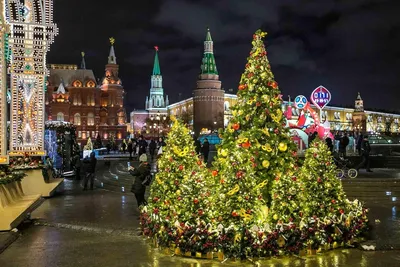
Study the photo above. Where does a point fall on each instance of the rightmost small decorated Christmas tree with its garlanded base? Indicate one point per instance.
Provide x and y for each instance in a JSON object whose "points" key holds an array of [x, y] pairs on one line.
{"points": [[330, 217]]}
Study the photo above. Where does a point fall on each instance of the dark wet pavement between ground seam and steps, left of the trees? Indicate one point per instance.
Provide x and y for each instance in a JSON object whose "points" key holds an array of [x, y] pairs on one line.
{"points": [[90, 208]]}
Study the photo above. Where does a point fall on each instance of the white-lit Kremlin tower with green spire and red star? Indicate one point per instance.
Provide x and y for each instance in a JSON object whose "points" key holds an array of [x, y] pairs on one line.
{"points": [[156, 100]]}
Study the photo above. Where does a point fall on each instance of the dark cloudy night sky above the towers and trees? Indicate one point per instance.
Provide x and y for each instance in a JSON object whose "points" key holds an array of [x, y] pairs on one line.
{"points": [[348, 46]]}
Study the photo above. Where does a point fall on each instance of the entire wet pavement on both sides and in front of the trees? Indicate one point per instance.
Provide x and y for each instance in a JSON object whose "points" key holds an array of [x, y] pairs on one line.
{"points": [[99, 228]]}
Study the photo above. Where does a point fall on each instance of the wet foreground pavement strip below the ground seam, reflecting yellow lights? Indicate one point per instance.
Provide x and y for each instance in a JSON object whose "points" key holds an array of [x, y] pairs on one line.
{"points": [[46, 246]]}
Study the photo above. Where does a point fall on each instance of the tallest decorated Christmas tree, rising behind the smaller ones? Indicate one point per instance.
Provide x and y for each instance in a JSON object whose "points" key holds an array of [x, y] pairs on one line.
{"points": [[258, 120]]}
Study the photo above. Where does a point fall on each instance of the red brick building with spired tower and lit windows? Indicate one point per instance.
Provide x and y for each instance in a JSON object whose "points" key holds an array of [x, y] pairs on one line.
{"points": [[94, 107]]}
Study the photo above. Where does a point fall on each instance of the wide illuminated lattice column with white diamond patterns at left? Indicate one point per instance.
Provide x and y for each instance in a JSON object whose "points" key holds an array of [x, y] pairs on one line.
{"points": [[32, 31]]}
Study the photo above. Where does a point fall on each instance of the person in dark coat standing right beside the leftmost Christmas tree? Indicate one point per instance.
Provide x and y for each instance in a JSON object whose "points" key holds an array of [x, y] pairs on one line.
{"points": [[140, 174]]}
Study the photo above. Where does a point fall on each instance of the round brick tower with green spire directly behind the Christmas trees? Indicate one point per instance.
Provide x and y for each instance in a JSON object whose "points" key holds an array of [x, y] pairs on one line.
{"points": [[208, 97]]}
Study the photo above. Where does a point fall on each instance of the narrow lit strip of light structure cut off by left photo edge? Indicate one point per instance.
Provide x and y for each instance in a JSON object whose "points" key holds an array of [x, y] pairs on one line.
{"points": [[4, 29]]}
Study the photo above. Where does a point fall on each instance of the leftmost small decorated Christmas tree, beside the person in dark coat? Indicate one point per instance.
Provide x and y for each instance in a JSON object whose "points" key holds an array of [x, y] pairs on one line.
{"points": [[180, 194]]}
